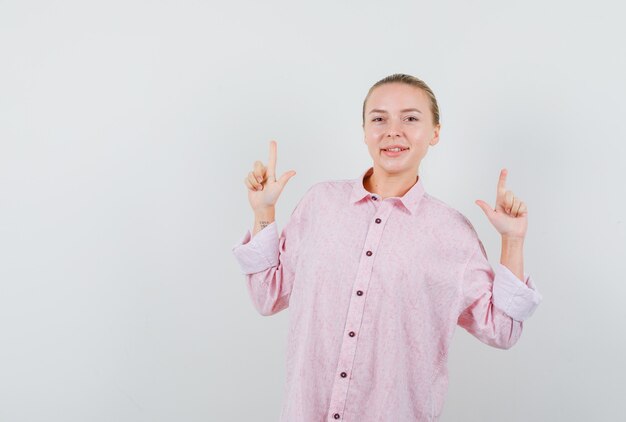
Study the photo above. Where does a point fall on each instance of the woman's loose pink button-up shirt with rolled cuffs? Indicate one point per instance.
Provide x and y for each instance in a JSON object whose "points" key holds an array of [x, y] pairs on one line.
{"points": [[376, 288]]}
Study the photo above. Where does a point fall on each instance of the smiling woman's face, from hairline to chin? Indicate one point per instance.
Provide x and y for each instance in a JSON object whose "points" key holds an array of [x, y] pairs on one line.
{"points": [[398, 114]]}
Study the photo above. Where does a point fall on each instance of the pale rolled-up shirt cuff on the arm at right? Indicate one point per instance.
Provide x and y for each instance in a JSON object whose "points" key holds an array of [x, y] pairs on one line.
{"points": [[515, 298]]}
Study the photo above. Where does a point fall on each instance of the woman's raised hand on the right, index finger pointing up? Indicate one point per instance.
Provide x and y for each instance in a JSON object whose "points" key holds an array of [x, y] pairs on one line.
{"points": [[510, 216]]}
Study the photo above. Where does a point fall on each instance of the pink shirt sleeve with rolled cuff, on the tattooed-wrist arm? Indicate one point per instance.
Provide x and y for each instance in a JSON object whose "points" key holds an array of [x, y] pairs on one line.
{"points": [[268, 262]]}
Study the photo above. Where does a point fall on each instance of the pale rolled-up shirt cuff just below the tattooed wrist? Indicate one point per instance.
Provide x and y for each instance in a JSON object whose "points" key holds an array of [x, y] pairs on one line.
{"points": [[258, 253]]}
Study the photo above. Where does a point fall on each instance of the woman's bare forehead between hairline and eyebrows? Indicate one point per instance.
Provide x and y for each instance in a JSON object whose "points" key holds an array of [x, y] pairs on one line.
{"points": [[397, 96]]}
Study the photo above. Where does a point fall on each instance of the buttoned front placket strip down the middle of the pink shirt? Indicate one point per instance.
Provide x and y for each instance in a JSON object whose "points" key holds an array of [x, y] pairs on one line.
{"points": [[355, 312]]}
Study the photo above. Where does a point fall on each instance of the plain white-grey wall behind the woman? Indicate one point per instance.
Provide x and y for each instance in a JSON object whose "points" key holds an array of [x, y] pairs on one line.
{"points": [[126, 130]]}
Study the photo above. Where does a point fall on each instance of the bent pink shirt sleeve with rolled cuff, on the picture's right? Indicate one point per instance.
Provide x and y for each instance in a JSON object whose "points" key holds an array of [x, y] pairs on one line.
{"points": [[495, 303]]}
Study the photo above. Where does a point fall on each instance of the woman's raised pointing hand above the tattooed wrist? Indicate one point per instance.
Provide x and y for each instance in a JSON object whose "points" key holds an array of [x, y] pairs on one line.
{"points": [[264, 191]]}
